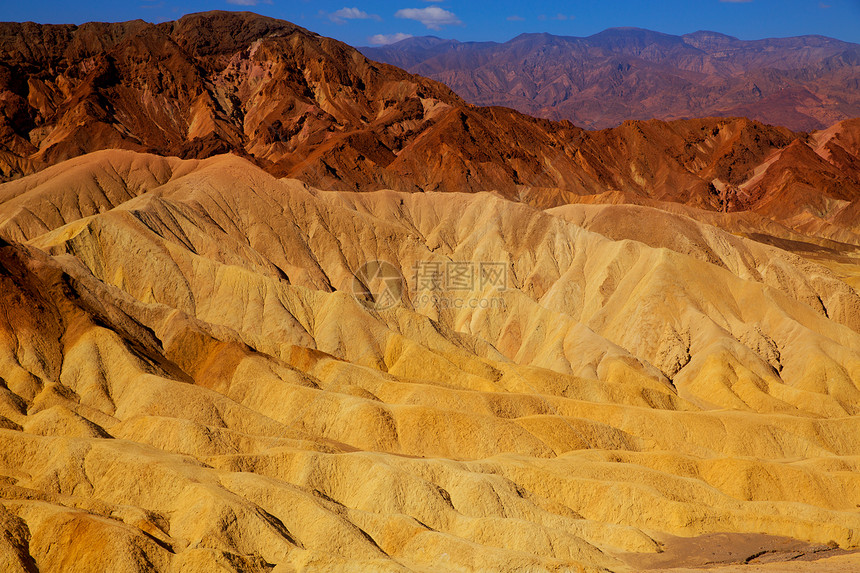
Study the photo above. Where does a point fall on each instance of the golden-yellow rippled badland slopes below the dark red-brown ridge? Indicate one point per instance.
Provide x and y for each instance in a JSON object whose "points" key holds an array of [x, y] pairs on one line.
{"points": [[188, 379]]}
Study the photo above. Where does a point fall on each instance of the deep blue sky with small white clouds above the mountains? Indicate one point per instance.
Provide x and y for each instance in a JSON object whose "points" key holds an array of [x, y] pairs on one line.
{"points": [[360, 22]]}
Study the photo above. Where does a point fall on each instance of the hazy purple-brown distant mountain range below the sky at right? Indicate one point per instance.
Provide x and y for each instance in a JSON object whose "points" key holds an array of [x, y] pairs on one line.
{"points": [[804, 83]]}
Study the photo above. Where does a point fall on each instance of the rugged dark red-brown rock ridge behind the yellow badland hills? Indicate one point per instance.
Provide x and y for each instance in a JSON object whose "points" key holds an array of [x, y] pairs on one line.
{"points": [[312, 108]]}
